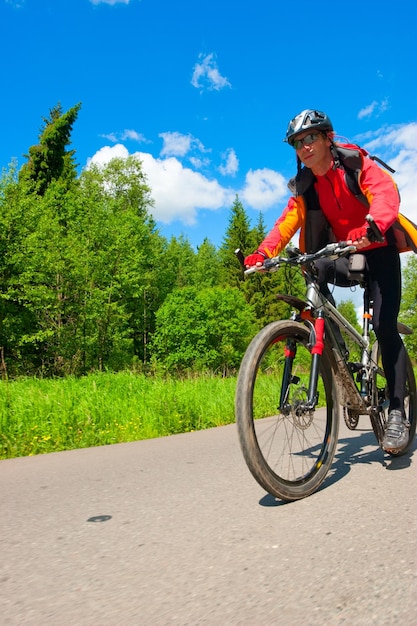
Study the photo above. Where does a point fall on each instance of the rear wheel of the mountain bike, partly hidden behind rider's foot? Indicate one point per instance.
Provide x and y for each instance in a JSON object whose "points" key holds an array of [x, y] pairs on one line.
{"points": [[381, 400]]}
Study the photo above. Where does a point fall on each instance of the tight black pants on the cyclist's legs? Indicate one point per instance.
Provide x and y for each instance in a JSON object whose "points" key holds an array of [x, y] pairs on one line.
{"points": [[384, 270]]}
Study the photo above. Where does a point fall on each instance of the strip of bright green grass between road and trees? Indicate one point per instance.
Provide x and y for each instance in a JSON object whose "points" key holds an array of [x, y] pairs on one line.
{"points": [[40, 416]]}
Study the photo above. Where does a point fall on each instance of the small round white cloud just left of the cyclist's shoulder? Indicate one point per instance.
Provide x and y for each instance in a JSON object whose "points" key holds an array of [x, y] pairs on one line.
{"points": [[264, 188]]}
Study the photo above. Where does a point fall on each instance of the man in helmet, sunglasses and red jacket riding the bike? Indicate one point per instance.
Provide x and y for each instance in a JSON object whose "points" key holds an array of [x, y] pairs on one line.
{"points": [[326, 206]]}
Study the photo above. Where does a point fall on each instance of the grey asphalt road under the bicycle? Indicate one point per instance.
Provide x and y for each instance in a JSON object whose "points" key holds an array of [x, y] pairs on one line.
{"points": [[176, 531]]}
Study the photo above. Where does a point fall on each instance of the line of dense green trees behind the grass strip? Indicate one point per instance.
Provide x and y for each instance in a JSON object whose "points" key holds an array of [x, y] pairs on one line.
{"points": [[88, 283]]}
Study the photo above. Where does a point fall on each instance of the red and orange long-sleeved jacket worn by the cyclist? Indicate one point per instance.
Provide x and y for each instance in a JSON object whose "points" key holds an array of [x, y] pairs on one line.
{"points": [[344, 212]]}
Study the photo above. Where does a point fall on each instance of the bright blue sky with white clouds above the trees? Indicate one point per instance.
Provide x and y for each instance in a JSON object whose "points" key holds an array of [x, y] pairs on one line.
{"points": [[203, 91]]}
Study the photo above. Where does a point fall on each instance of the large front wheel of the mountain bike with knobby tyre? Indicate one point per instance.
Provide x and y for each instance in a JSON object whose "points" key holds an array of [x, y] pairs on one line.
{"points": [[287, 448]]}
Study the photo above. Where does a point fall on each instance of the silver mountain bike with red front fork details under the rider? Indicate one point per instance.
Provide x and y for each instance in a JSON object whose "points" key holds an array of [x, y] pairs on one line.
{"points": [[295, 376]]}
